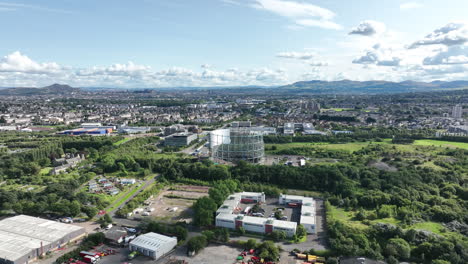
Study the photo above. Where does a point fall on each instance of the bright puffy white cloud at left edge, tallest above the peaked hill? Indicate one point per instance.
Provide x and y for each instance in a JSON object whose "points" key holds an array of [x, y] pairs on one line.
{"points": [[17, 62]]}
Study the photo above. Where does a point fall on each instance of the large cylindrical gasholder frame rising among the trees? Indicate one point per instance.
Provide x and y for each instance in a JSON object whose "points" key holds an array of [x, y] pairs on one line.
{"points": [[236, 144]]}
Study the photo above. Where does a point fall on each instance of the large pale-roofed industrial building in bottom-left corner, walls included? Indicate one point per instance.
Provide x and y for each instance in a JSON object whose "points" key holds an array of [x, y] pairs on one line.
{"points": [[25, 238]]}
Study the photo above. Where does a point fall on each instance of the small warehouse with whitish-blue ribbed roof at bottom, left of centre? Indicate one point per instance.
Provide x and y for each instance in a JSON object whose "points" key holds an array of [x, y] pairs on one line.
{"points": [[153, 245]]}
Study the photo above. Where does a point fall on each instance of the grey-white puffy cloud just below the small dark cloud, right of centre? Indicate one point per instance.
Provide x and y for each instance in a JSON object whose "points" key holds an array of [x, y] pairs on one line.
{"points": [[380, 55]]}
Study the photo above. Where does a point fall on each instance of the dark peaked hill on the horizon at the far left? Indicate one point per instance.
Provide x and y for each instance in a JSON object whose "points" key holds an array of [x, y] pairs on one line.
{"points": [[51, 89]]}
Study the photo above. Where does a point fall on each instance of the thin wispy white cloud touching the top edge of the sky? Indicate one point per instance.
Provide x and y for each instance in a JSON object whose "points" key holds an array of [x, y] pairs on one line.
{"points": [[302, 14]]}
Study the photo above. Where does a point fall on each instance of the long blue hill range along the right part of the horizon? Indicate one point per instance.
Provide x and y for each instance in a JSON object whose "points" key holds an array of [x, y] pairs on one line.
{"points": [[368, 87]]}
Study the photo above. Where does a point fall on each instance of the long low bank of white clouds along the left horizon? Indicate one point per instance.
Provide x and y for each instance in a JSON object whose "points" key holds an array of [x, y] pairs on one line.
{"points": [[19, 70]]}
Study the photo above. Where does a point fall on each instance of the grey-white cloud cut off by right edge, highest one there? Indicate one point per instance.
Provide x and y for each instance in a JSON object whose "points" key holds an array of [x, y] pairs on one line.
{"points": [[449, 35]]}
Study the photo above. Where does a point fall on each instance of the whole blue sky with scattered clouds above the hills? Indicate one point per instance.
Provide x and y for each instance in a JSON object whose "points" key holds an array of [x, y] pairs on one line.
{"points": [[183, 43]]}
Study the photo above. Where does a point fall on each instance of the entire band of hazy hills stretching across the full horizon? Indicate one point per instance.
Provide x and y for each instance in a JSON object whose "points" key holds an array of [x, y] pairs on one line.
{"points": [[301, 87]]}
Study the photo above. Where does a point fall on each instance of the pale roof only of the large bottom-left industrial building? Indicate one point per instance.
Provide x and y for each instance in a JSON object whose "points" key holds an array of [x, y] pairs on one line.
{"points": [[37, 228]]}
